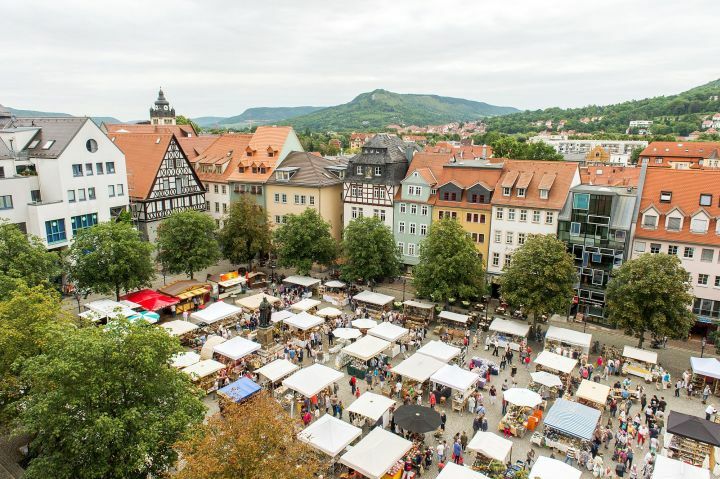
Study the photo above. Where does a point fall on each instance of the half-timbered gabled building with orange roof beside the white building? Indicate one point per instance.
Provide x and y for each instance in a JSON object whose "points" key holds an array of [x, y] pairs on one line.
{"points": [[160, 179]]}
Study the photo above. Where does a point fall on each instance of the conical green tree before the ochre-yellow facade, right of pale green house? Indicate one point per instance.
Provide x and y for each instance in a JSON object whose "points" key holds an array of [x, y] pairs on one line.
{"points": [[449, 264]]}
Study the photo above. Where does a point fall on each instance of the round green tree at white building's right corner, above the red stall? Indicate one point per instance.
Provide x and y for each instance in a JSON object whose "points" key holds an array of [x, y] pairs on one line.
{"points": [[110, 257]]}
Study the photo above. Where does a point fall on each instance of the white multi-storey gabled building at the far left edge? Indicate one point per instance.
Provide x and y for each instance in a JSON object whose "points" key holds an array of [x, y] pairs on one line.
{"points": [[74, 190]]}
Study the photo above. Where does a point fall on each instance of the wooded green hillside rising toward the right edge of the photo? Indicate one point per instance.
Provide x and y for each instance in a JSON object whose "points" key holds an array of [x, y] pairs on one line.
{"points": [[678, 114]]}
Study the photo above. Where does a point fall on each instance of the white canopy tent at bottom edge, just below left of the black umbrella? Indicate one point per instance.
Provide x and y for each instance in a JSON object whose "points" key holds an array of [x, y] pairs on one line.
{"points": [[376, 453]]}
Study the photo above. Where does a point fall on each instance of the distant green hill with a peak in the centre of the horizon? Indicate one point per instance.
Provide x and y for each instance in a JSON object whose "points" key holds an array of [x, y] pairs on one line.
{"points": [[377, 109]]}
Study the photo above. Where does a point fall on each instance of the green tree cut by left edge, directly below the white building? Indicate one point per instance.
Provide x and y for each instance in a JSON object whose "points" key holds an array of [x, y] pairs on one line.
{"points": [[24, 260]]}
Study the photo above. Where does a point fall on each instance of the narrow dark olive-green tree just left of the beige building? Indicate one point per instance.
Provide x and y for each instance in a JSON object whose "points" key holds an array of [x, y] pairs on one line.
{"points": [[246, 233]]}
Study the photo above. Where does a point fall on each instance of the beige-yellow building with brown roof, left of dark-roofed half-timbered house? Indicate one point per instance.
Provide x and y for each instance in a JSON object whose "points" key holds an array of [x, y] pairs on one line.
{"points": [[306, 181]]}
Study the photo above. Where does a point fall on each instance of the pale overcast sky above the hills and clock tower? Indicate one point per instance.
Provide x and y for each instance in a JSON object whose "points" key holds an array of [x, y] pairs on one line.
{"points": [[220, 57]]}
